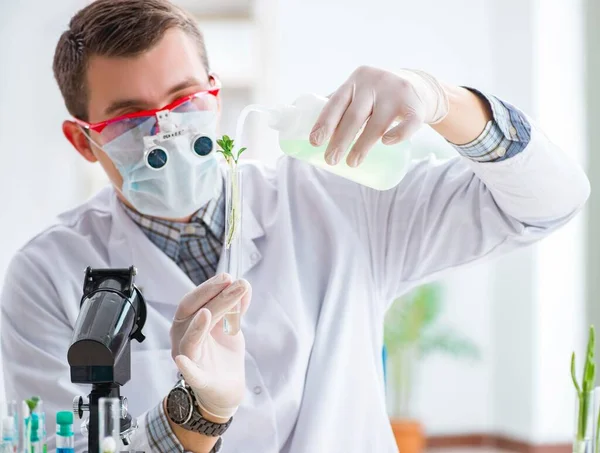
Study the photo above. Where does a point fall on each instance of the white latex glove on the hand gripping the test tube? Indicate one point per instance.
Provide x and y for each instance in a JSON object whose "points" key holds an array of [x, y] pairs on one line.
{"points": [[211, 362]]}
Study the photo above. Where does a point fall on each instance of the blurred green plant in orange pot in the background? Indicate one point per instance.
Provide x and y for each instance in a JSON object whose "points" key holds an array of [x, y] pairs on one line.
{"points": [[411, 334]]}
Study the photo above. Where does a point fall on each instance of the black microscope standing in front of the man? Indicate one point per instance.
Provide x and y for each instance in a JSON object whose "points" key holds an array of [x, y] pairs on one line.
{"points": [[113, 312]]}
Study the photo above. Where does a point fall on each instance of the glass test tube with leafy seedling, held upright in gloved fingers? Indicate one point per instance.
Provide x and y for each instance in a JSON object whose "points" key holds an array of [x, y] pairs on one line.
{"points": [[233, 241]]}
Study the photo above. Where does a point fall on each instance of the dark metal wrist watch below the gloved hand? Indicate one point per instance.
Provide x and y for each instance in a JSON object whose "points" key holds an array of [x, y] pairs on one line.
{"points": [[183, 410]]}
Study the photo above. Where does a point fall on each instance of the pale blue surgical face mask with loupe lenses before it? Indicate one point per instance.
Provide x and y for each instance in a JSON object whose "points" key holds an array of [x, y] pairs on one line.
{"points": [[172, 173]]}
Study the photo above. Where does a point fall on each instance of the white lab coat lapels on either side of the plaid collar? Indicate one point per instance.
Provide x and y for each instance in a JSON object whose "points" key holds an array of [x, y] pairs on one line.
{"points": [[128, 245]]}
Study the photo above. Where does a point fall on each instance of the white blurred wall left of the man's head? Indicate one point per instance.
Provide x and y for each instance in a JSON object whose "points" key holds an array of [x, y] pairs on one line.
{"points": [[34, 178]]}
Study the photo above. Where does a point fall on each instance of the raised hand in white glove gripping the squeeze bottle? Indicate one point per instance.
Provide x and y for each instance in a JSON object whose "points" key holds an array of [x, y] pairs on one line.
{"points": [[378, 98]]}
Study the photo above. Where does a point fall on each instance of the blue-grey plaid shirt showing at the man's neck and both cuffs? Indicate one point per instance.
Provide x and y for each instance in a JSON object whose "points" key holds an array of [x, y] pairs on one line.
{"points": [[196, 246]]}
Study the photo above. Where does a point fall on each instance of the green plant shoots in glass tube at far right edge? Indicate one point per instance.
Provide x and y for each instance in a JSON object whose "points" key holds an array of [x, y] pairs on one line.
{"points": [[585, 391]]}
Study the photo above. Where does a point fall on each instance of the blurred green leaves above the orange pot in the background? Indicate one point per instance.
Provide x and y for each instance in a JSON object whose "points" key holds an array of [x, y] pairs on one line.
{"points": [[411, 333]]}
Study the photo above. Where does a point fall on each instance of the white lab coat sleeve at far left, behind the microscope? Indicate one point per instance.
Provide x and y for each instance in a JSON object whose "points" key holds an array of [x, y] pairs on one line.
{"points": [[36, 334]]}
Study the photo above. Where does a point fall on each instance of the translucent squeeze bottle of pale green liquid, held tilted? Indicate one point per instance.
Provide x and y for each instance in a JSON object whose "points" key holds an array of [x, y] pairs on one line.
{"points": [[383, 167]]}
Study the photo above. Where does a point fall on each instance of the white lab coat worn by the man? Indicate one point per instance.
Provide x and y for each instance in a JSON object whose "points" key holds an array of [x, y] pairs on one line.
{"points": [[325, 258]]}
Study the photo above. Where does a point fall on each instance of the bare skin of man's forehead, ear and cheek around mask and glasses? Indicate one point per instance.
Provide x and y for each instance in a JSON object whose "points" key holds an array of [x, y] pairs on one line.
{"points": [[118, 86]]}
